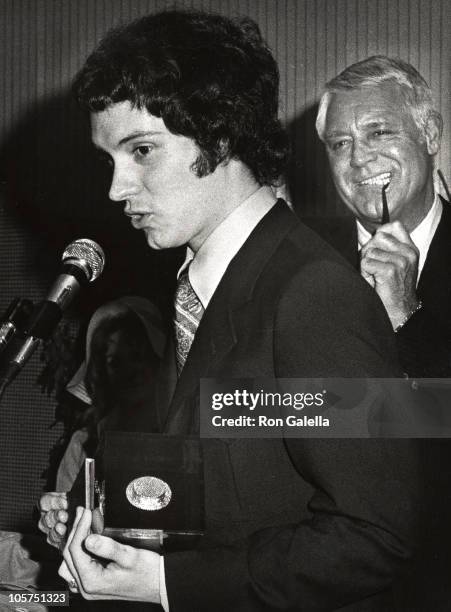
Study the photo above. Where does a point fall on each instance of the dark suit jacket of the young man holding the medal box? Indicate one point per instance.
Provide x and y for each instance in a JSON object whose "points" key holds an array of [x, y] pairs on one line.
{"points": [[292, 524]]}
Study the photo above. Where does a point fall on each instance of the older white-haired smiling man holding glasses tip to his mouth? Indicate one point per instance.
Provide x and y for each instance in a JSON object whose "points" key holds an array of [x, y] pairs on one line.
{"points": [[382, 131]]}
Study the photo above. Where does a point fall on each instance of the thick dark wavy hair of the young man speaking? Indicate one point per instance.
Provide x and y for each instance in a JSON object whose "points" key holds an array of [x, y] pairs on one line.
{"points": [[210, 78]]}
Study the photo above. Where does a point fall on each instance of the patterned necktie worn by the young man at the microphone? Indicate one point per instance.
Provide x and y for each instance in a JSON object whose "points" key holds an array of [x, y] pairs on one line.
{"points": [[188, 313]]}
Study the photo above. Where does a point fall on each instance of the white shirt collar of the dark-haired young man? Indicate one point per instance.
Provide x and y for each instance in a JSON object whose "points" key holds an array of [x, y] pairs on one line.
{"points": [[210, 262]]}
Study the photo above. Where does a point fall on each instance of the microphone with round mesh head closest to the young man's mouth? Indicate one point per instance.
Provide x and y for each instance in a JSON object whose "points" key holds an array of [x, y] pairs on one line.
{"points": [[82, 262]]}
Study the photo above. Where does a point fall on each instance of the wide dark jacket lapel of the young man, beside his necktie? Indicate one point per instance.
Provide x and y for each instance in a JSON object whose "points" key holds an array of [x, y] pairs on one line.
{"points": [[219, 329]]}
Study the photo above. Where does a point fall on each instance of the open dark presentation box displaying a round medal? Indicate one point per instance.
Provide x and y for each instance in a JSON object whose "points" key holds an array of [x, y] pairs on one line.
{"points": [[152, 490]]}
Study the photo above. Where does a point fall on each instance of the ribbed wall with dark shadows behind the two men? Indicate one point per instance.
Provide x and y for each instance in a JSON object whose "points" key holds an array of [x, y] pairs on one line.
{"points": [[52, 190]]}
